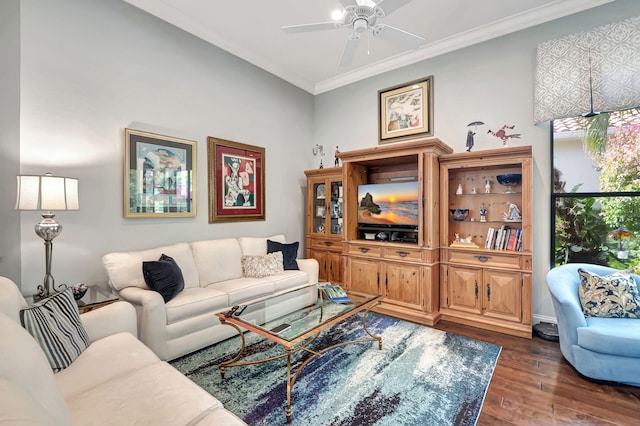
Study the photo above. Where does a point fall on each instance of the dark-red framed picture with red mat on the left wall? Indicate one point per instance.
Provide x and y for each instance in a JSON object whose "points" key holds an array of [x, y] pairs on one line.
{"points": [[236, 181]]}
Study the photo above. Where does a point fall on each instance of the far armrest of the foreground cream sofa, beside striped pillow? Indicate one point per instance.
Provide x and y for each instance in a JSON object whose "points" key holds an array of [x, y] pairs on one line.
{"points": [[111, 319]]}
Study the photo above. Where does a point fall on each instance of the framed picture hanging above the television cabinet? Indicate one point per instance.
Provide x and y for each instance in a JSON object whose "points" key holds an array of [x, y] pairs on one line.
{"points": [[406, 111]]}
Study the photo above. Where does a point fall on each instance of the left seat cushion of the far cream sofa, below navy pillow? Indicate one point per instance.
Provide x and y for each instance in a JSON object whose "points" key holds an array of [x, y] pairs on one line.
{"points": [[196, 301]]}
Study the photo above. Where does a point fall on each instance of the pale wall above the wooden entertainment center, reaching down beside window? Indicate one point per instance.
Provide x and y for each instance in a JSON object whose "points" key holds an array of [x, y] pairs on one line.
{"points": [[491, 82]]}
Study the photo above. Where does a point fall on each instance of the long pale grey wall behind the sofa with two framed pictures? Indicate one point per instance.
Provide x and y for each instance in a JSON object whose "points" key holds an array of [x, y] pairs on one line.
{"points": [[90, 69]]}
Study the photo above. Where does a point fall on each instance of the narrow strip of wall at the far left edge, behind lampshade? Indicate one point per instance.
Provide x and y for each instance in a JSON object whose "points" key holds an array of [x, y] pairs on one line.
{"points": [[9, 137]]}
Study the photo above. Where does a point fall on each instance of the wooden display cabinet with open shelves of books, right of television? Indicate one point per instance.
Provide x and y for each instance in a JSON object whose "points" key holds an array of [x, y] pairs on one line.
{"points": [[488, 286]]}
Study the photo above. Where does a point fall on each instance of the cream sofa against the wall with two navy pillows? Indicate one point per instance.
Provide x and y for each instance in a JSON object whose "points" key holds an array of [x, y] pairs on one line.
{"points": [[213, 282]]}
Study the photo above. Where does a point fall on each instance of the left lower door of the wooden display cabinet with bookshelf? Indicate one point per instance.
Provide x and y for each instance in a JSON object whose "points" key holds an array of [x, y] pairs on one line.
{"points": [[464, 289]]}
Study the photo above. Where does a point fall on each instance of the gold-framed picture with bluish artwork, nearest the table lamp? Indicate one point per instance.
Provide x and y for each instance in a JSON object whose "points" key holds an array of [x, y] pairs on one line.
{"points": [[159, 175]]}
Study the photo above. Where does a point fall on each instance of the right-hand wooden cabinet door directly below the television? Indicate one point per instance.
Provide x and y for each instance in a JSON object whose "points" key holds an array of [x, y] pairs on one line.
{"points": [[402, 283]]}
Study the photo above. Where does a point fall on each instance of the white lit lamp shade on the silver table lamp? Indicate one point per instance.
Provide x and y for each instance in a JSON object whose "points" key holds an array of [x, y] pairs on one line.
{"points": [[47, 193]]}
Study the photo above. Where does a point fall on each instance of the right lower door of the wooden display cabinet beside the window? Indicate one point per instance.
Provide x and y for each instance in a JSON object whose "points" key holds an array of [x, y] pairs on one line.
{"points": [[502, 295]]}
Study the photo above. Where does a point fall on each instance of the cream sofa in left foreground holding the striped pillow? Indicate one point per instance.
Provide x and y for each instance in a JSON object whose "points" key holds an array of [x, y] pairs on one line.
{"points": [[117, 380]]}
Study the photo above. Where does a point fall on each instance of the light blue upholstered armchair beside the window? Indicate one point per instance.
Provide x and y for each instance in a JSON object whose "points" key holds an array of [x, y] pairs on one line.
{"points": [[600, 348]]}
